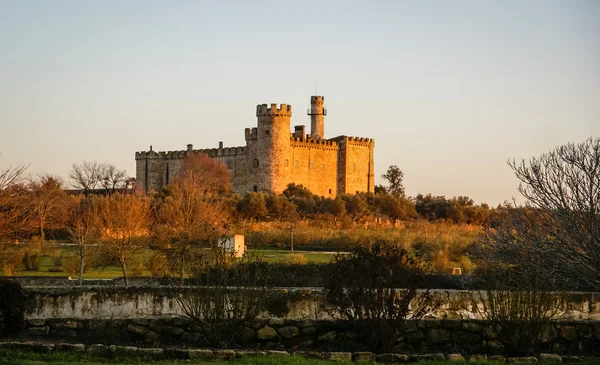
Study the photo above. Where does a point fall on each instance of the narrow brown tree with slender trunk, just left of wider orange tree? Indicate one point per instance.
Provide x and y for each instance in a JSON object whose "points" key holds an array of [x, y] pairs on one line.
{"points": [[82, 223]]}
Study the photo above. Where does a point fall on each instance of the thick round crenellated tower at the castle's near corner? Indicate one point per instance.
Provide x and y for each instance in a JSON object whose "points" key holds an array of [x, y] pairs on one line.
{"points": [[273, 144]]}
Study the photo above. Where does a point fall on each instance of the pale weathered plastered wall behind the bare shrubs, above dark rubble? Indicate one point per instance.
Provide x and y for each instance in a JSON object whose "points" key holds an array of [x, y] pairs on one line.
{"points": [[116, 302]]}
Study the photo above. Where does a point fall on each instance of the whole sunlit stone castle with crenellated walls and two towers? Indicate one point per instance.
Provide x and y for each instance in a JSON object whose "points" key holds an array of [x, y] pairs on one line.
{"points": [[275, 157]]}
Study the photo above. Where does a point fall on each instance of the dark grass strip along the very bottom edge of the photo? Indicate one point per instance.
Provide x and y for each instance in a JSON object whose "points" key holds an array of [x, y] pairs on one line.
{"points": [[57, 358]]}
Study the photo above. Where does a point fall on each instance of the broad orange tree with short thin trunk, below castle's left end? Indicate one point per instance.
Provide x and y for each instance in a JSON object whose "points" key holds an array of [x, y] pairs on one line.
{"points": [[125, 225]]}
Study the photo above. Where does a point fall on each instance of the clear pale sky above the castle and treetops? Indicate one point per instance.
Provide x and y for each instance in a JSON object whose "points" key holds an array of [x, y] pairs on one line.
{"points": [[449, 89]]}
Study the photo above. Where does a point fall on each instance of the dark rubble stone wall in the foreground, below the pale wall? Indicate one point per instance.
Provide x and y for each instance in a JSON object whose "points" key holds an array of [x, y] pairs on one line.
{"points": [[423, 336]]}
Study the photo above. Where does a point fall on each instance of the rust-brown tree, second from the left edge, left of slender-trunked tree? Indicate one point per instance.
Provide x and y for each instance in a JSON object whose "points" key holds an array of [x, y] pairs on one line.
{"points": [[47, 200]]}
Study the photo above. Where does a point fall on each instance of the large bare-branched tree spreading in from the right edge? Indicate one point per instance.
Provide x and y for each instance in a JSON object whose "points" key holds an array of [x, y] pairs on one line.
{"points": [[558, 227]]}
